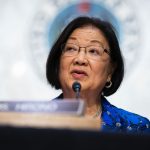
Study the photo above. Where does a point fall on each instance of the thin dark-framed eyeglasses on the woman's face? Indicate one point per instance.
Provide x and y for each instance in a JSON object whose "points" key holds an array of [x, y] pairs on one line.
{"points": [[94, 52]]}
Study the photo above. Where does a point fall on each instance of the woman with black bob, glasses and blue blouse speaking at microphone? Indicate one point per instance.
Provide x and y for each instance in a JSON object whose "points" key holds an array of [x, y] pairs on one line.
{"points": [[88, 51]]}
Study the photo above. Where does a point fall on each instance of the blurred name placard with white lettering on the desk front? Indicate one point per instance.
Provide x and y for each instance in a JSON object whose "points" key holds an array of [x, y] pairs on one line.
{"points": [[65, 106]]}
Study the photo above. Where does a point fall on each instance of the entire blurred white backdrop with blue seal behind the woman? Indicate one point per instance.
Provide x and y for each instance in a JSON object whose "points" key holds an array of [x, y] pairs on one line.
{"points": [[28, 29]]}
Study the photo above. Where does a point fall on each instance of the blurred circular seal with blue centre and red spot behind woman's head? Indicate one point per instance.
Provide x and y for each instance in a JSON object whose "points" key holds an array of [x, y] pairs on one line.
{"points": [[54, 15]]}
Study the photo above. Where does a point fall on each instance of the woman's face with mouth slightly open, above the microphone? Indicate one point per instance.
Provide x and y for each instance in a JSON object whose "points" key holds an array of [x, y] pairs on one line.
{"points": [[87, 67]]}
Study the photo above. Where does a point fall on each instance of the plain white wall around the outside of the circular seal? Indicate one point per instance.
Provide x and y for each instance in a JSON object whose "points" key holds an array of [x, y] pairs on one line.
{"points": [[19, 79]]}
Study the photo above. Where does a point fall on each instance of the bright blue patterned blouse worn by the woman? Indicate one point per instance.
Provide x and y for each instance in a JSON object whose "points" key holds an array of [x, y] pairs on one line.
{"points": [[118, 120]]}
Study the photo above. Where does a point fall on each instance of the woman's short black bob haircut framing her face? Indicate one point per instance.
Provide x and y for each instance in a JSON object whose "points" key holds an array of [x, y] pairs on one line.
{"points": [[52, 65]]}
